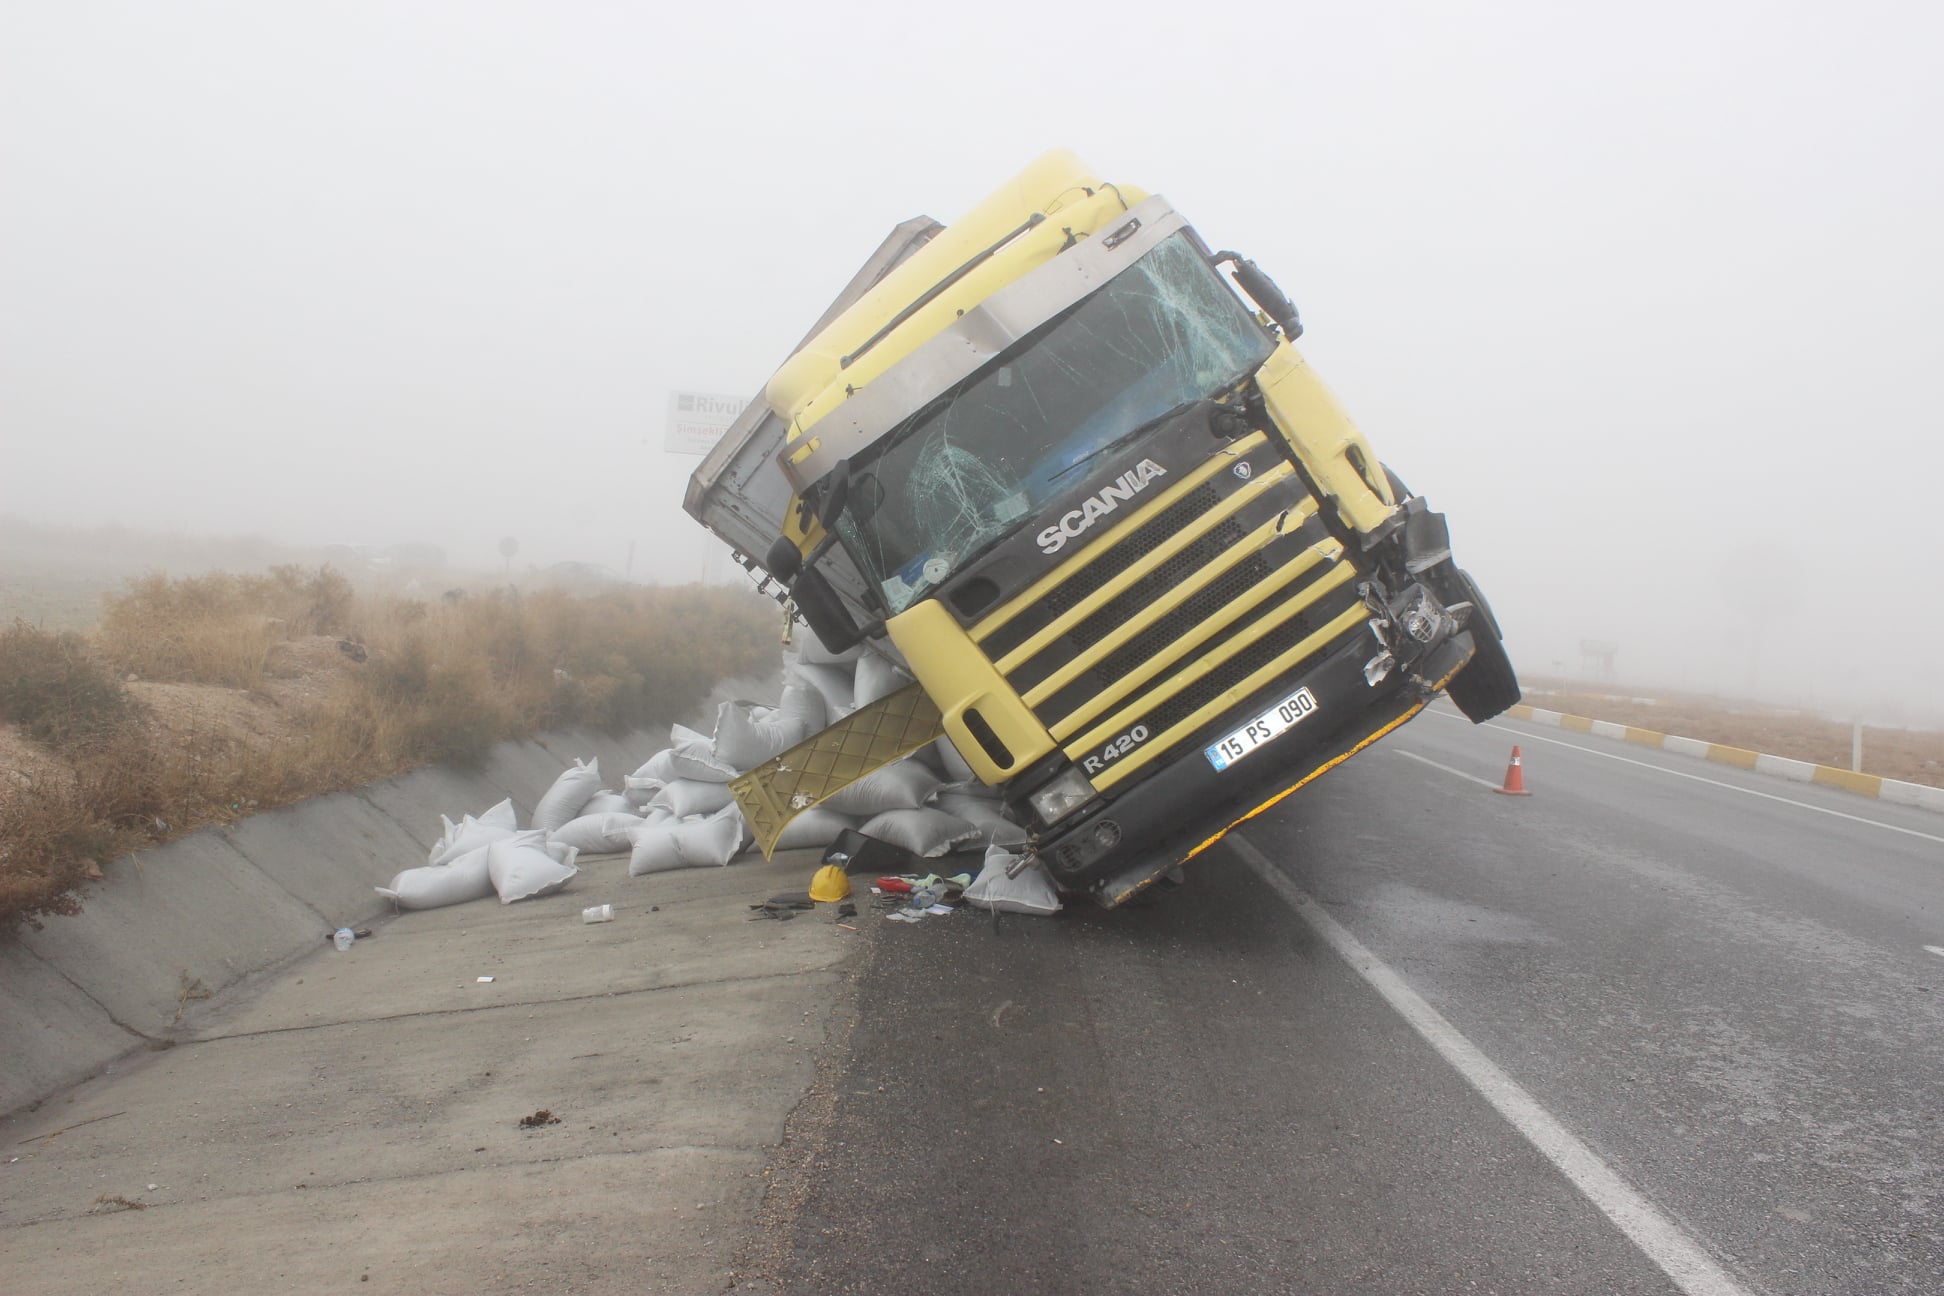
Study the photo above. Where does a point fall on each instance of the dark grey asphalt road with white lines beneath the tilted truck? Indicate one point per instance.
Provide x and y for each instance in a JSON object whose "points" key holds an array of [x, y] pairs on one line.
{"points": [[1692, 1040]]}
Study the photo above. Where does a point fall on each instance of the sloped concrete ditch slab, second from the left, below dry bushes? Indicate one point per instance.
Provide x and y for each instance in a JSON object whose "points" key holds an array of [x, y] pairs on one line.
{"points": [[176, 924]]}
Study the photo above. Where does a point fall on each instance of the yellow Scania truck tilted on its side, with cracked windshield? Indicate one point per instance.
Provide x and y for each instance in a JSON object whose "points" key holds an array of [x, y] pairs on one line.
{"points": [[1064, 461]]}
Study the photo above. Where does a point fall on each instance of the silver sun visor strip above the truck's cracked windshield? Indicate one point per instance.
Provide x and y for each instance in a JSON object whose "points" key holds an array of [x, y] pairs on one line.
{"points": [[969, 345]]}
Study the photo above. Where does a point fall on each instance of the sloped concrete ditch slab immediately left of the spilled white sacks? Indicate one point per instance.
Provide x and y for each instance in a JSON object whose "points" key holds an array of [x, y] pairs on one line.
{"points": [[330, 854]]}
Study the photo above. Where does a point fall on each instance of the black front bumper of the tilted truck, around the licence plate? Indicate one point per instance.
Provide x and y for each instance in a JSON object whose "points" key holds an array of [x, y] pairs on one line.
{"points": [[1185, 805]]}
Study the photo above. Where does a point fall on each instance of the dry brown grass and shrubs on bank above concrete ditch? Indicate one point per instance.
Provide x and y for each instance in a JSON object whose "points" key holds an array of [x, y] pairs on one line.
{"points": [[258, 710]]}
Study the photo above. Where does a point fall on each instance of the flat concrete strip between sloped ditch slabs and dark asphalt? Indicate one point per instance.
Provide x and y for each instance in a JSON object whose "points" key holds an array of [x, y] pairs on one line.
{"points": [[361, 1114]]}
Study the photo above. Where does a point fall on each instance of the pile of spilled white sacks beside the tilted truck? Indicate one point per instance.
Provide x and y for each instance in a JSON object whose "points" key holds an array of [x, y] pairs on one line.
{"points": [[677, 809]]}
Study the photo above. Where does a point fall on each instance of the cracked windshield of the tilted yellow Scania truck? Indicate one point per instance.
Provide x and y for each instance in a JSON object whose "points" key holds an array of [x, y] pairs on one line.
{"points": [[1163, 333]]}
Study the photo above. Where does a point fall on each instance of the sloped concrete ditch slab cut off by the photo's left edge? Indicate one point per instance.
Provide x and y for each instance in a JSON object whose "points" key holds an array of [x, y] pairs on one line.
{"points": [[53, 1033]]}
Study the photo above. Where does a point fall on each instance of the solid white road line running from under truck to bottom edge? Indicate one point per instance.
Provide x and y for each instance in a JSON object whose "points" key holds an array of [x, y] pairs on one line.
{"points": [[1659, 1239]]}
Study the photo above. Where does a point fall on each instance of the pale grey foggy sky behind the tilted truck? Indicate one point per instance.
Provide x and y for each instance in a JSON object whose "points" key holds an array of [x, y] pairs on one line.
{"points": [[1642, 296]]}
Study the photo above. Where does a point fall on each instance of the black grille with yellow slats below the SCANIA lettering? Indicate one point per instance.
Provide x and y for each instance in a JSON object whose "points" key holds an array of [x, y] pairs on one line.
{"points": [[1163, 617]]}
